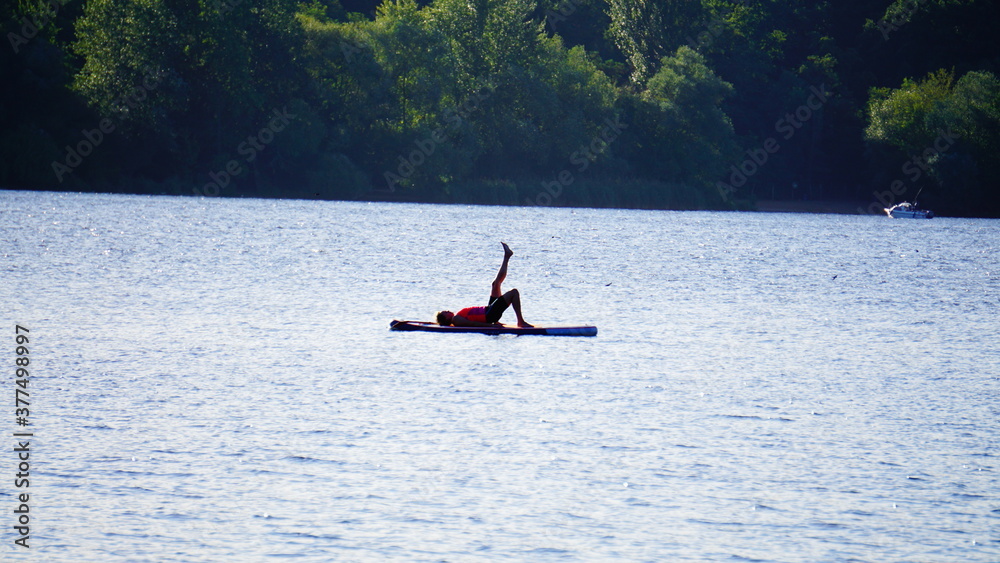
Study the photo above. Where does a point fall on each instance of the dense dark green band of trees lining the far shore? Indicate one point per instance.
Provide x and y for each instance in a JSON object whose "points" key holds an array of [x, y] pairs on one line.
{"points": [[682, 104]]}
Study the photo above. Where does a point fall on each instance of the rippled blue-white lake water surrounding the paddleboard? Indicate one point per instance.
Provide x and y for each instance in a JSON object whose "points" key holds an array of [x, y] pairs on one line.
{"points": [[214, 380]]}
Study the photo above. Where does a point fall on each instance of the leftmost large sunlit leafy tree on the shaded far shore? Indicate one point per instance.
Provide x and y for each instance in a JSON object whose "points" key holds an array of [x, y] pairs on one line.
{"points": [[190, 79]]}
